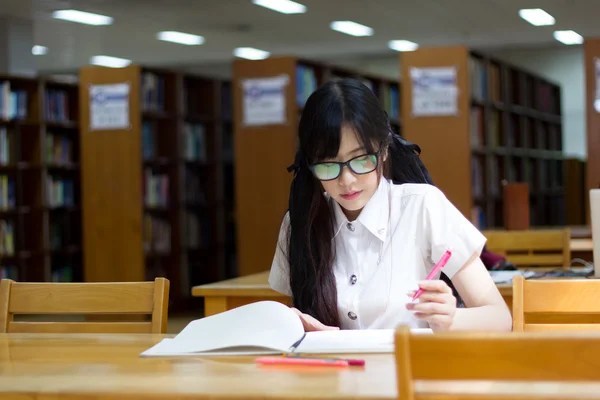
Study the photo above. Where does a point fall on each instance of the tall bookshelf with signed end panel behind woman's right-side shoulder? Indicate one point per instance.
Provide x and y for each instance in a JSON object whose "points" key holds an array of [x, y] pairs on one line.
{"points": [[507, 128]]}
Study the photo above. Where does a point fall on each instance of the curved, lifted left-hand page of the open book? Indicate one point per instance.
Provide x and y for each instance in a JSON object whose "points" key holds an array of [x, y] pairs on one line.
{"points": [[256, 327]]}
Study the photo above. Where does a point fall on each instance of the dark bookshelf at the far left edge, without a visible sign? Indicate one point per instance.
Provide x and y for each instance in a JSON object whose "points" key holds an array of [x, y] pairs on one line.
{"points": [[40, 214]]}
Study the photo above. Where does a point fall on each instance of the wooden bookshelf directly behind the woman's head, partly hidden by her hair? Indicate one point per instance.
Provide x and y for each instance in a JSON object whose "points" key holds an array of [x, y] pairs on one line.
{"points": [[264, 152]]}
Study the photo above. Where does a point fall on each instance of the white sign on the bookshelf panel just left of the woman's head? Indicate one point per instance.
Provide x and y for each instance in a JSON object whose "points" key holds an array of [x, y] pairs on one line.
{"points": [[264, 100]]}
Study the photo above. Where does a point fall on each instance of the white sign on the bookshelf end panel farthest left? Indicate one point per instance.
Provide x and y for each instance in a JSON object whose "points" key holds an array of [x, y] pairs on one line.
{"points": [[109, 106]]}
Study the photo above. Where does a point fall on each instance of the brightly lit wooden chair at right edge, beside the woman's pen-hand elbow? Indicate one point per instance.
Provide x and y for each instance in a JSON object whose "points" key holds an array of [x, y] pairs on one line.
{"points": [[556, 304]]}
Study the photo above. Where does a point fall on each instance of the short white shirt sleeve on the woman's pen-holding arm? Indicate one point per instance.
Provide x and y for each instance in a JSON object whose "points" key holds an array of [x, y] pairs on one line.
{"points": [[446, 228]]}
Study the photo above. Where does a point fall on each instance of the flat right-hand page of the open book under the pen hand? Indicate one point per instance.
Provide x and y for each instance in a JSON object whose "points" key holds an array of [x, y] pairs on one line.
{"points": [[351, 341]]}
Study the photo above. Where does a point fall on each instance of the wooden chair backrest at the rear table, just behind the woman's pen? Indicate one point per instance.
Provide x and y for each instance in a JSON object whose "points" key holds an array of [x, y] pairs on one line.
{"points": [[532, 247]]}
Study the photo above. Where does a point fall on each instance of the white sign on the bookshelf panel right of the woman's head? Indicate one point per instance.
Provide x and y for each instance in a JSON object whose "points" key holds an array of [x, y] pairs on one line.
{"points": [[434, 91]]}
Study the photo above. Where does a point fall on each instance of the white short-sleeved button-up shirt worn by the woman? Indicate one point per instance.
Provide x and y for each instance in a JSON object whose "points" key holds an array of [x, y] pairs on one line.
{"points": [[398, 237]]}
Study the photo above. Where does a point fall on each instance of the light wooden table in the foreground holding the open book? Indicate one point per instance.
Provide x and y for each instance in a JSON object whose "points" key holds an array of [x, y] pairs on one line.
{"points": [[107, 367]]}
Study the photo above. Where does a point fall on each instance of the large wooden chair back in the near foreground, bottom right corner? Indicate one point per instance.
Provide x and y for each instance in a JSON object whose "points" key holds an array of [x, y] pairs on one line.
{"points": [[498, 357]]}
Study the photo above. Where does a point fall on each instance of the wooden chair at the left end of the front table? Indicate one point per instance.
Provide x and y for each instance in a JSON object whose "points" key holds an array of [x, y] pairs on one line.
{"points": [[90, 299]]}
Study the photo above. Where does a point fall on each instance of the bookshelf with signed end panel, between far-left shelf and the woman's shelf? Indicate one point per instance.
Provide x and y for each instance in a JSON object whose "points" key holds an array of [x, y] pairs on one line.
{"points": [[153, 195]]}
